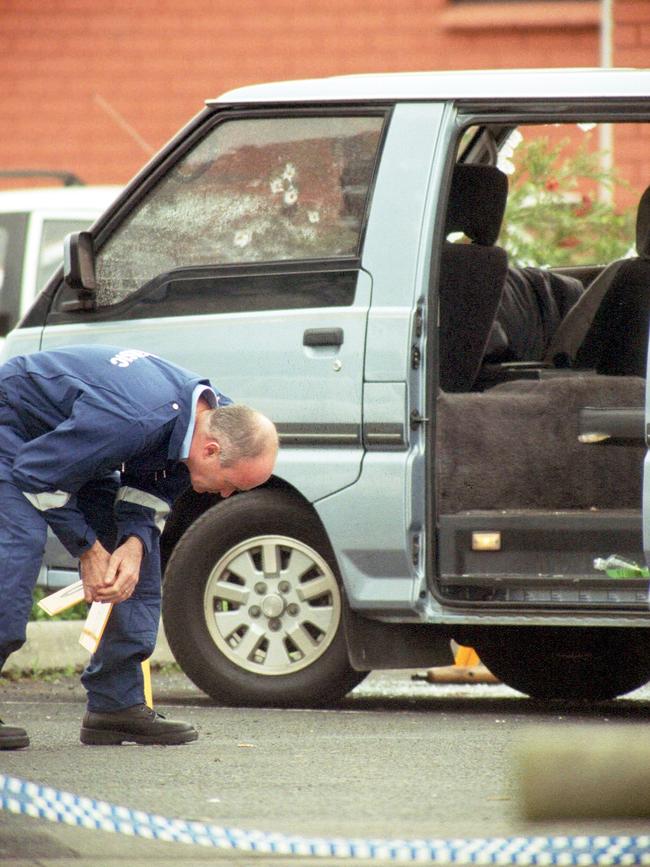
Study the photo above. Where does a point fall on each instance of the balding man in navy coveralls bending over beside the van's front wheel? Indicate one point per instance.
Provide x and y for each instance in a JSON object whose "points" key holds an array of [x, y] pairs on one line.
{"points": [[97, 442]]}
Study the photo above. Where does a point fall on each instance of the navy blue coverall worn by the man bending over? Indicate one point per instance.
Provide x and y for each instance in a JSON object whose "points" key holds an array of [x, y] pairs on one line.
{"points": [[90, 443]]}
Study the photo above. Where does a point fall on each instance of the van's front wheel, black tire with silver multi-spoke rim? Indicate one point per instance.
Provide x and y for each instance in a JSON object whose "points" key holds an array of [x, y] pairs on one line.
{"points": [[253, 605]]}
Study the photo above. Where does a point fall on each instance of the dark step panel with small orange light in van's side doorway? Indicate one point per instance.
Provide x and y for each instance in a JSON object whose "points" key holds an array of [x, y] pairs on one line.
{"points": [[538, 559]]}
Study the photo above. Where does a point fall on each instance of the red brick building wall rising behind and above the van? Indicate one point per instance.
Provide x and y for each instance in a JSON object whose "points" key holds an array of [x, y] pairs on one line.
{"points": [[95, 88]]}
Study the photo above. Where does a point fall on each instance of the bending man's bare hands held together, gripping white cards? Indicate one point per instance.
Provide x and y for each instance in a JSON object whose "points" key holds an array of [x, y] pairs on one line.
{"points": [[111, 577]]}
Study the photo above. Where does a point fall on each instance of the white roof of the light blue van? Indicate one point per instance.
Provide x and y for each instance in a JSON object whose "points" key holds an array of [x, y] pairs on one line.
{"points": [[492, 84]]}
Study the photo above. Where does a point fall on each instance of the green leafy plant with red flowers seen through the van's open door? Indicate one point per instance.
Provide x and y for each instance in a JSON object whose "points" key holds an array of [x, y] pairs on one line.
{"points": [[555, 215]]}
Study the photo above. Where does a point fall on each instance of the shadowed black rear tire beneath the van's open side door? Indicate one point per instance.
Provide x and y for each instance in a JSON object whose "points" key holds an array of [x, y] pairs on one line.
{"points": [[569, 663]]}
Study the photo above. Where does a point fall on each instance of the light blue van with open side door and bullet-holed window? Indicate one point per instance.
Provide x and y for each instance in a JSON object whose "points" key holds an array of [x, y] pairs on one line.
{"points": [[462, 424]]}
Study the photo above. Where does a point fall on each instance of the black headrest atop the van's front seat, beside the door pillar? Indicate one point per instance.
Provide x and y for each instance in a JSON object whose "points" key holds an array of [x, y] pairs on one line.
{"points": [[477, 202]]}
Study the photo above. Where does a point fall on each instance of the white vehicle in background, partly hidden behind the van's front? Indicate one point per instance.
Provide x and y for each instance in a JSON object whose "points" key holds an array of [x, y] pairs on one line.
{"points": [[33, 224]]}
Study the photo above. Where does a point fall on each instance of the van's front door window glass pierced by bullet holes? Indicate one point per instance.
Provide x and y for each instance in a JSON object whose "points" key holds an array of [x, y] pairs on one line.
{"points": [[252, 190]]}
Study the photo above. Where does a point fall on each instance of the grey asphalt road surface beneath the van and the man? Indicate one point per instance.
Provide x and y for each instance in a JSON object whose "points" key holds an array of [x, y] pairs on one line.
{"points": [[397, 758]]}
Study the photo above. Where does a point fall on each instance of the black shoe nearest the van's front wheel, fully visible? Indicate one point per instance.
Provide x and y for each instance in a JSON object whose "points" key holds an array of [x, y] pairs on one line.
{"points": [[139, 724]]}
